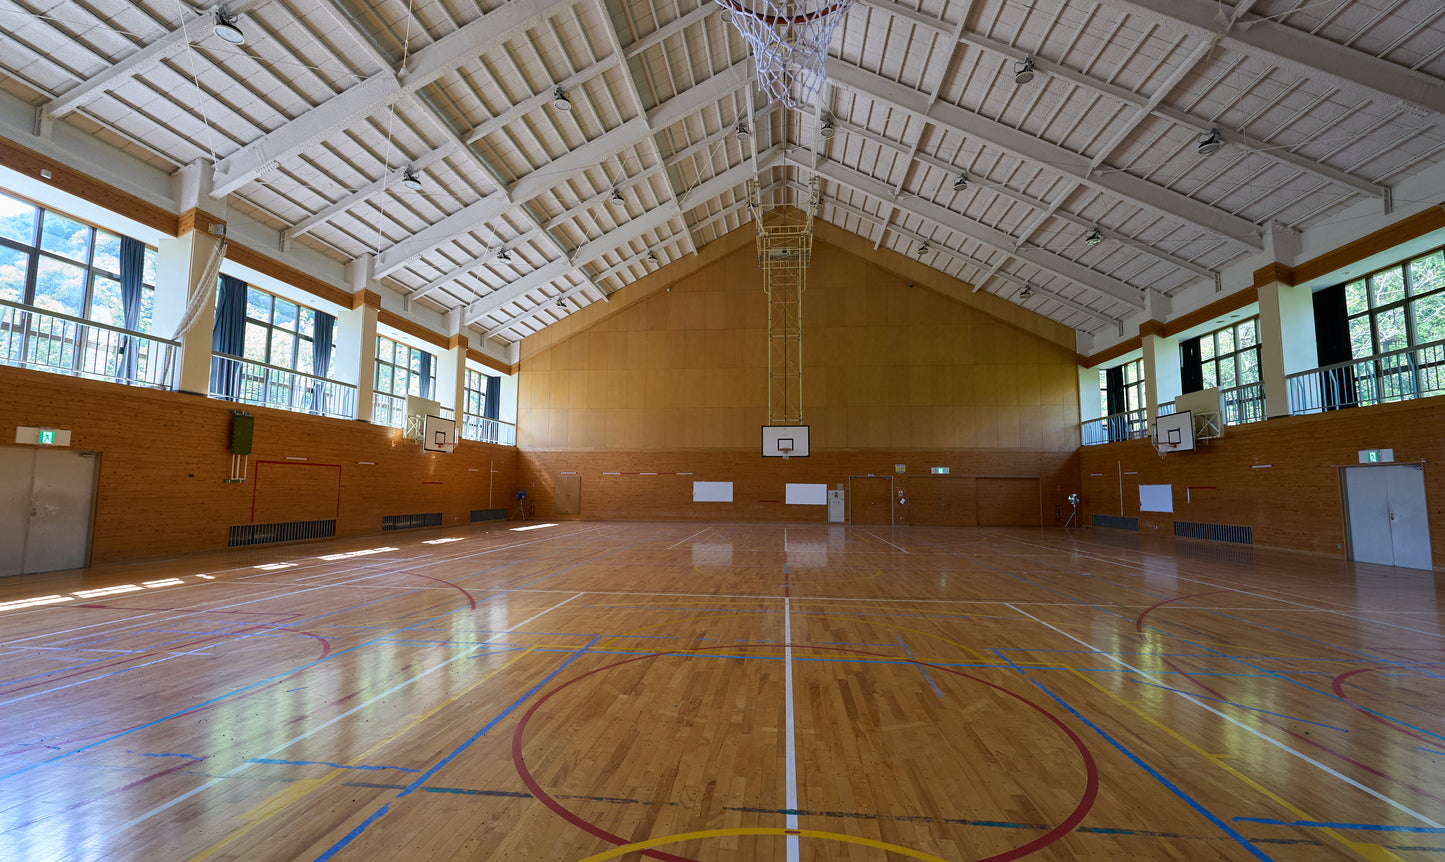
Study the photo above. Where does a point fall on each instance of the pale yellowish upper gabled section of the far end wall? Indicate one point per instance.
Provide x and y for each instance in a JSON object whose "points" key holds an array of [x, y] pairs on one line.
{"points": [[885, 366]]}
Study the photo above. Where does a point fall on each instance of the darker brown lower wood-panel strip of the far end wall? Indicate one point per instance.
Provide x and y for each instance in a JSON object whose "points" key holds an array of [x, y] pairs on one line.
{"points": [[639, 484]]}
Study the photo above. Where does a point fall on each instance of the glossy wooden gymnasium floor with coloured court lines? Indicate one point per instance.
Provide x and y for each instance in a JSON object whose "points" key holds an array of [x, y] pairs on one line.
{"points": [[722, 692]]}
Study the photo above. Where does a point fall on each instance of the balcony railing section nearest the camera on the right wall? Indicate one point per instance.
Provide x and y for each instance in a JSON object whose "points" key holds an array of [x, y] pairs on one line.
{"points": [[1398, 376]]}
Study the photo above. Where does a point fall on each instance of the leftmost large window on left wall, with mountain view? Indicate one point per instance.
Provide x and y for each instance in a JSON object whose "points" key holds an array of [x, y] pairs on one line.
{"points": [[63, 266]]}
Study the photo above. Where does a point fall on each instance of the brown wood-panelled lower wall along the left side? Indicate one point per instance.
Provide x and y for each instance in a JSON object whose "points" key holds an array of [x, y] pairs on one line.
{"points": [[165, 458]]}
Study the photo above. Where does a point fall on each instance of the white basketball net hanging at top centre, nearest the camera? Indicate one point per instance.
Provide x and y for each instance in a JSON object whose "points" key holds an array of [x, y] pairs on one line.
{"points": [[790, 41]]}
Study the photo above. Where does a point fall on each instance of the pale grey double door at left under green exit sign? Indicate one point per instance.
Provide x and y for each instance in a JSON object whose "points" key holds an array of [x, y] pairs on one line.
{"points": [[46, 509]]}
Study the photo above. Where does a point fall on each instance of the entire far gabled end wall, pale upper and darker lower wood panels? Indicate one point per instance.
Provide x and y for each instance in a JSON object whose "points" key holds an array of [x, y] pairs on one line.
{"points": [[676, 382]]}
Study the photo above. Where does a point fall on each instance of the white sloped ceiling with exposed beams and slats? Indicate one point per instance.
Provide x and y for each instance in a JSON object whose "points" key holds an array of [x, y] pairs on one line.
{"points": [[1323, 106]]}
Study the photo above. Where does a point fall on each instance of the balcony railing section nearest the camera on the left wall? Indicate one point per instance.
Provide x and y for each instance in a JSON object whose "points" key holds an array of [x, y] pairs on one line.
{"points": [[51, 341]]}
